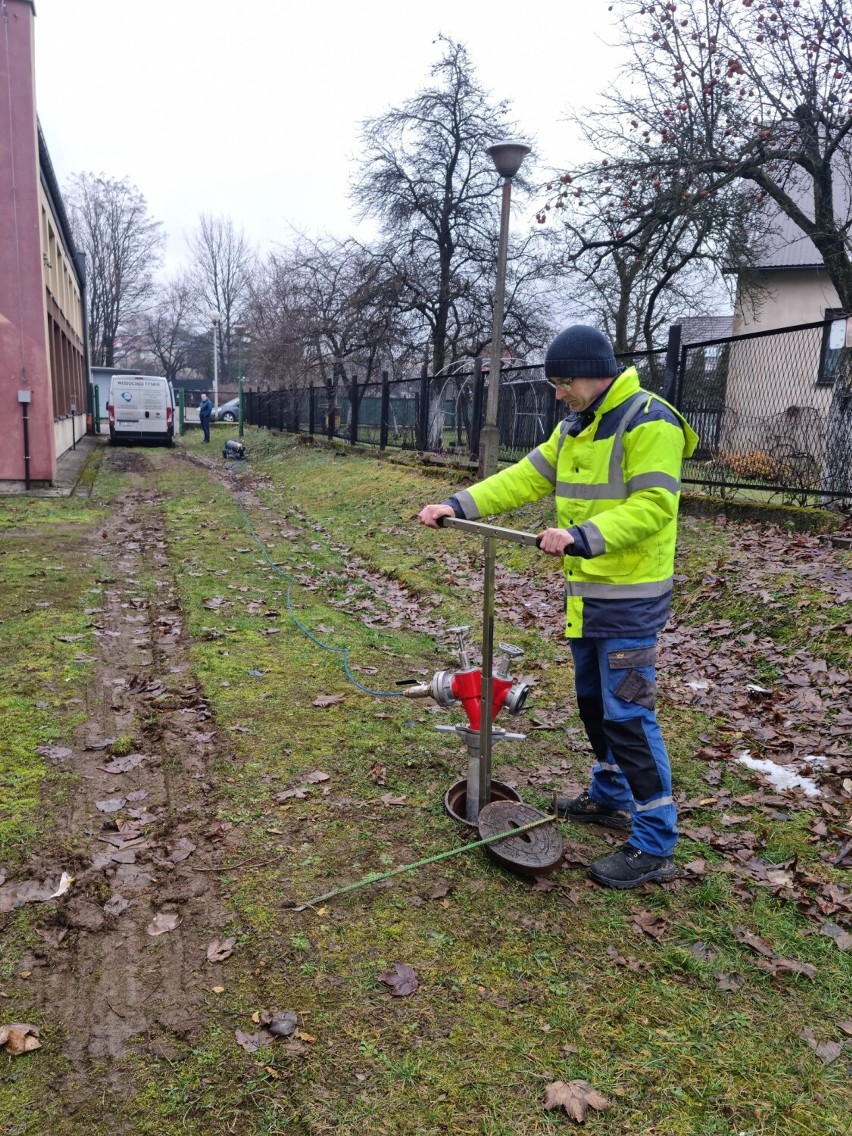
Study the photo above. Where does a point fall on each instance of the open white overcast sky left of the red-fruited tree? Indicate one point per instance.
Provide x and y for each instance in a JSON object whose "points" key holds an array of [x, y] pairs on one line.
{"points": [[254, 110]]}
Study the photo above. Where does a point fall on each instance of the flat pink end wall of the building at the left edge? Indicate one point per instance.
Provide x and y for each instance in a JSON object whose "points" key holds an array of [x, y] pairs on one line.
{"points": [[24, 360]]}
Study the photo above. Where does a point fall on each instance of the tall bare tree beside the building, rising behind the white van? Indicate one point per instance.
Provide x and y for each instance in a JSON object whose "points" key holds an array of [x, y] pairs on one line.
{"points": [[123, 245]]}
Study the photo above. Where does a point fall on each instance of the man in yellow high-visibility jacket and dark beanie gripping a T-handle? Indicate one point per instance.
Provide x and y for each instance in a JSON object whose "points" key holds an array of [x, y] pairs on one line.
{"points": [[614, 465]]}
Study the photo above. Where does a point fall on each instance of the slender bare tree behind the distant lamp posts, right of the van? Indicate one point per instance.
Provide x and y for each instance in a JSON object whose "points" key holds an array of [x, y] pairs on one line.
{"points": [[221, 269]]}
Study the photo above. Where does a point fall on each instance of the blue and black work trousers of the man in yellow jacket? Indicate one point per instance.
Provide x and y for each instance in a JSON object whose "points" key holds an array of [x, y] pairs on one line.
{"points": [[615, 681]]}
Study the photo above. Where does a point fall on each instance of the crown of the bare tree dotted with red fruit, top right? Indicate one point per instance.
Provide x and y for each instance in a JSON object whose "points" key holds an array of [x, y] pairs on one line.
{"points": [[750, 95]]}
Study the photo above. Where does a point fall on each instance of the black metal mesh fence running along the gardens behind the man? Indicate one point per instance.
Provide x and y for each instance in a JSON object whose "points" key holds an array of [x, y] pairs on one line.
{"points": [[773, 410]]}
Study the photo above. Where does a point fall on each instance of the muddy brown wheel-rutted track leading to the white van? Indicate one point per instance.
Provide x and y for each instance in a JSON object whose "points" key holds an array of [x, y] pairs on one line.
{"points": [[143, 838]]}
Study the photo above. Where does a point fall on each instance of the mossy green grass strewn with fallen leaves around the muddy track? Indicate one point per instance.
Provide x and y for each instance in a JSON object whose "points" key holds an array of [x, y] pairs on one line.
{"points": [[520, 987]]}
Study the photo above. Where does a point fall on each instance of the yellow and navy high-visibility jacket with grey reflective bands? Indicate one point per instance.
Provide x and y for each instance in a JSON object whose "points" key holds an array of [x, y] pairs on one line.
{"points": [[616, 475]]}
